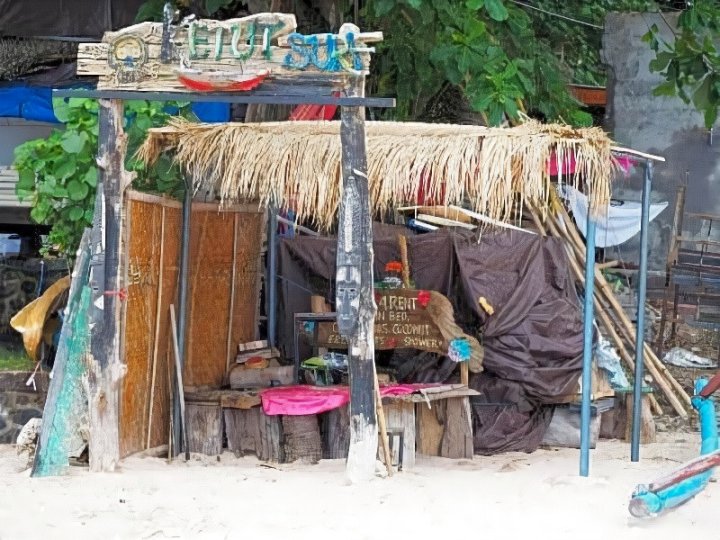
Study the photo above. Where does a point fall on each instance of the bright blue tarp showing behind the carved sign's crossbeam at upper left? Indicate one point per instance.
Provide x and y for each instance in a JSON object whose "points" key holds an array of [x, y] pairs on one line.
{"points": [[35, 103]]}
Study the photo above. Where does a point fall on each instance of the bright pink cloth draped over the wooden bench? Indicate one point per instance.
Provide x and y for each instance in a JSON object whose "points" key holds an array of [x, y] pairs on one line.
{"points": [[299, 400]]}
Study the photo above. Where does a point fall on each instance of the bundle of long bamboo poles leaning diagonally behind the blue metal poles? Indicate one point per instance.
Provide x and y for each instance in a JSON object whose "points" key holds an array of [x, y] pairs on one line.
{"points": [[609, 313]]}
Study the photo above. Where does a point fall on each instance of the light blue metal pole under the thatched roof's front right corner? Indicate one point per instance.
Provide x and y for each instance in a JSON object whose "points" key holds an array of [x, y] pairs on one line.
{"points": [[587, 346]]}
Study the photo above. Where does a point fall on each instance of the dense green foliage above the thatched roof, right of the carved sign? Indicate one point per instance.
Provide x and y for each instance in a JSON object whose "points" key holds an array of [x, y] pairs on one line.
{"points": [[504, 55]]}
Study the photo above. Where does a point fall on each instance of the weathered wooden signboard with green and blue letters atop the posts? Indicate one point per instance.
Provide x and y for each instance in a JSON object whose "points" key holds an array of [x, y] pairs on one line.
{"points": [[232, 55]]}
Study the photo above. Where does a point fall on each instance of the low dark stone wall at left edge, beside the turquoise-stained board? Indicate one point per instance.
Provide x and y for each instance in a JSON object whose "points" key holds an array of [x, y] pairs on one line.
{"points": [[19, 403]]}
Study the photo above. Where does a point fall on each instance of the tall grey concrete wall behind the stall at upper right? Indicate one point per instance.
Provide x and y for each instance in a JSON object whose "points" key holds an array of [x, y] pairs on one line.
{"points": [[659, 125]]}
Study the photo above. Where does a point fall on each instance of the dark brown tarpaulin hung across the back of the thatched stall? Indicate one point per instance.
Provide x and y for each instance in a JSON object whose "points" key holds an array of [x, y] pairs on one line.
{"points": [[533, 341]]}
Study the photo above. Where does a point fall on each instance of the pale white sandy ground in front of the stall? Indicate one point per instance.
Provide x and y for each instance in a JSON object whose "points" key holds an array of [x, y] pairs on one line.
{"points": [[513, 496]]}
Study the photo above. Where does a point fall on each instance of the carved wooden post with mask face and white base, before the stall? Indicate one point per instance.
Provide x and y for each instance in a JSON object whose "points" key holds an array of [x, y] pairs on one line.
{"points": [[355, 295]]}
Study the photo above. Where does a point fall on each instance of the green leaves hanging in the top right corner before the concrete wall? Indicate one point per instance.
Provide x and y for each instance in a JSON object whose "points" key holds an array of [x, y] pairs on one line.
{"points": [[690, 61]]}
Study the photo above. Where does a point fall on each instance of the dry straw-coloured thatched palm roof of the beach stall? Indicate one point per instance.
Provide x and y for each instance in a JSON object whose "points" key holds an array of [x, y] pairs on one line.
{"points": [[491, 169]]}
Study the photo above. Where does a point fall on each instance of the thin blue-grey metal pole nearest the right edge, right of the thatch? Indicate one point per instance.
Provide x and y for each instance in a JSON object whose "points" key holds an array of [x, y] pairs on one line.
{"points": [[640, 336]]}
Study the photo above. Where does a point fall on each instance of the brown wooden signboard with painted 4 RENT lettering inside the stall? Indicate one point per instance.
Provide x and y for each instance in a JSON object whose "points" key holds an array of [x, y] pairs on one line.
{"points": [[409, 319]]}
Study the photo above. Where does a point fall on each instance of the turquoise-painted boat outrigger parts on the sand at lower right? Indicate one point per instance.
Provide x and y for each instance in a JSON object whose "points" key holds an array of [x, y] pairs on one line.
{"points": [[646, 503]]}
